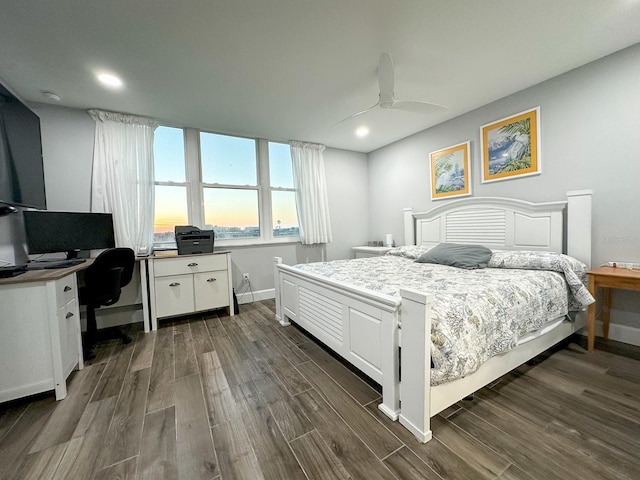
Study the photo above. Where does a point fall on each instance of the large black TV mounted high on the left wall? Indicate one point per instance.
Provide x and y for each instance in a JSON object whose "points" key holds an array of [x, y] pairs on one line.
{"points": [[21, 169]]}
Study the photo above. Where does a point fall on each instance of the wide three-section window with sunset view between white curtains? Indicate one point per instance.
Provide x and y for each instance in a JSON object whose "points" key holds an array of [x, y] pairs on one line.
{"points": [[242, 188]]}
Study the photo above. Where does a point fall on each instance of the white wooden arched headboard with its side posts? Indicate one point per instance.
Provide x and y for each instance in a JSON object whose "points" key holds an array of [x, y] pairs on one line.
{"points": [[508, 224]]}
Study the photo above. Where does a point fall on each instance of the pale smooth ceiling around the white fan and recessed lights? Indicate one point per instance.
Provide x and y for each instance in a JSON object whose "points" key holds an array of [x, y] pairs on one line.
{"points": [[291, 69]]}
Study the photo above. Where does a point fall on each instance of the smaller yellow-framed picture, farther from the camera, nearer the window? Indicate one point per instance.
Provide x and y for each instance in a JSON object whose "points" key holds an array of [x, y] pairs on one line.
{"points": [[451, 171]]}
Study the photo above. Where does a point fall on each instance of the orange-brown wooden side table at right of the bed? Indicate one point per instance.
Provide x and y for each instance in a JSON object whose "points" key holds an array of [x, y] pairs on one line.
{"points": [[607, 278]]}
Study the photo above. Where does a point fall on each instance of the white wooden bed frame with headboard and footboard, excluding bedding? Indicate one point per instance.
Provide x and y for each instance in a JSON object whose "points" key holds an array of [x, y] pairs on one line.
{"points": [[389, 336]]}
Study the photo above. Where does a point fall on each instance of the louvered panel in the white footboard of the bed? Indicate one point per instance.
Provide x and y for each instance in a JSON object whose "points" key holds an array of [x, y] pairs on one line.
{"points": [[324, 313]]}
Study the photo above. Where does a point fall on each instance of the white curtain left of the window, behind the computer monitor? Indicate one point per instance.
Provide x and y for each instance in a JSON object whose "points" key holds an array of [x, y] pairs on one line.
{"points": [[123, 179]]}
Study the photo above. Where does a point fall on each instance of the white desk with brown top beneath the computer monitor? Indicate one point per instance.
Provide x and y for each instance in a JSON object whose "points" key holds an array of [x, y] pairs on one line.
{"points": [[40, 338]]}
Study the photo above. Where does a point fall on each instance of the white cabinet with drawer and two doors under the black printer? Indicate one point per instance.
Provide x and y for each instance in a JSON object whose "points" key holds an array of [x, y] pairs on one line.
{"points": [[183, 284]]}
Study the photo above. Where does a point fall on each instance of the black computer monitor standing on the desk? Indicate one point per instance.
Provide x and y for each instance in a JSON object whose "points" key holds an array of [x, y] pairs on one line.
{"points": [[69, 232]]}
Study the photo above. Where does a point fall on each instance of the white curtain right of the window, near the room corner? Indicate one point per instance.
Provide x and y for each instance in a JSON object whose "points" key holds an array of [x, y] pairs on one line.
{"points": [[311, 192]]}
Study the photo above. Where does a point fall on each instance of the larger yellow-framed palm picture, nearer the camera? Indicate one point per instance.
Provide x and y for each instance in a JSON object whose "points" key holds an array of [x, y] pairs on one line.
{"points": [[511, 147]]}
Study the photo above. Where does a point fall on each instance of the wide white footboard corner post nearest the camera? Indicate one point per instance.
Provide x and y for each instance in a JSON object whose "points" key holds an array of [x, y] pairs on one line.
{"points": [[415, 362]]}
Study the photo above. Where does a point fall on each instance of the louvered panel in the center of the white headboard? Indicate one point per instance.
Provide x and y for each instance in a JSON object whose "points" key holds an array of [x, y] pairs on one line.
{"points": [[486, 227]]}
